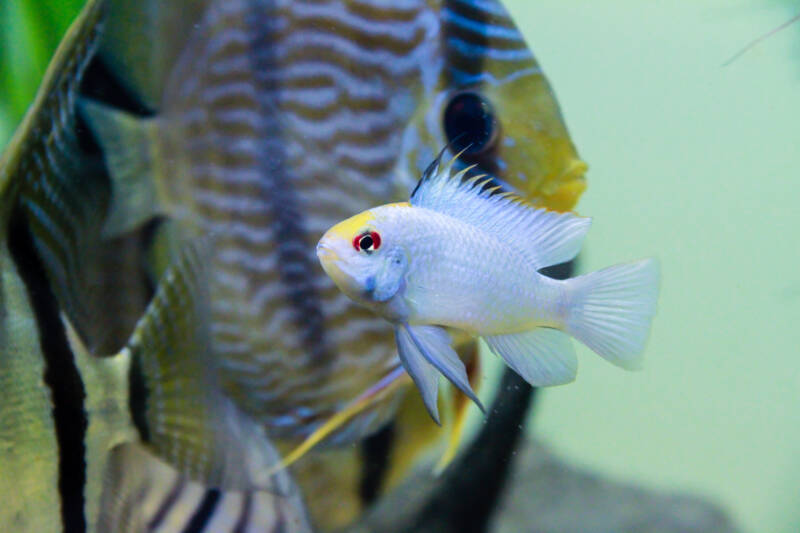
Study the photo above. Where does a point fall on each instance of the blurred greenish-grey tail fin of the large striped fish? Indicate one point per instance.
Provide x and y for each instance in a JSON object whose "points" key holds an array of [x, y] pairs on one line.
{"points": [[130, 148]]}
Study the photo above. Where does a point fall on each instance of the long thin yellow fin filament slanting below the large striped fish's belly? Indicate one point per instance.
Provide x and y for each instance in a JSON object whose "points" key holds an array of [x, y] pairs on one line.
{"points": [[384, 389]]}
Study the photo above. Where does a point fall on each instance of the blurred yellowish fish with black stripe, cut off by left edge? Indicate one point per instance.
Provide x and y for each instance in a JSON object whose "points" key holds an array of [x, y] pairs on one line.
{"points": [[67, 414]]}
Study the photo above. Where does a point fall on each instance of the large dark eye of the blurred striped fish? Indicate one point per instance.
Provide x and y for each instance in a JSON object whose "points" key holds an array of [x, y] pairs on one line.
{"points": [[469, 123]]}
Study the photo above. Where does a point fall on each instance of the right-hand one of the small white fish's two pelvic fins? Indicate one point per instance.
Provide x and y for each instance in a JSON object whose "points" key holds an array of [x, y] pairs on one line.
{"points": [[433, 343]]}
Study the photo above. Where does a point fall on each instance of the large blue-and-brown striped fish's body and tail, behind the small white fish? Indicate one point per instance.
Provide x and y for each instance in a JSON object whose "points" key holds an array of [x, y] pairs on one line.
{"points": [[282, 117]]}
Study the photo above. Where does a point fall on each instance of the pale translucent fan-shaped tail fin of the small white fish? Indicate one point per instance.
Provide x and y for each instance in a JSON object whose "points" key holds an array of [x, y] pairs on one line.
{"points": [[611, 310]]}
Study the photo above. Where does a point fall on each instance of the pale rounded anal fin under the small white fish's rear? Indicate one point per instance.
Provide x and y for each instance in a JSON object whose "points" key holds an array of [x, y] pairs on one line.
{"points": [[543, 356]]}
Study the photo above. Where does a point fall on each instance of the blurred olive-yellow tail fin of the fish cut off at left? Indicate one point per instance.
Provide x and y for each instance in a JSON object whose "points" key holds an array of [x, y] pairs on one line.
{"points": [[176, 402]]}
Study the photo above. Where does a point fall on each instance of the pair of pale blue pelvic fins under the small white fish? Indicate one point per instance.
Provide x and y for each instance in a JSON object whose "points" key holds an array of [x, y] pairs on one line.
{"points": [[431, 345]]}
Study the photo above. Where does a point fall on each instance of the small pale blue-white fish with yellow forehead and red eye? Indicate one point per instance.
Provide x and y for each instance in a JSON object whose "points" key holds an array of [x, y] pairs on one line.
{"points": [[462, 255]]}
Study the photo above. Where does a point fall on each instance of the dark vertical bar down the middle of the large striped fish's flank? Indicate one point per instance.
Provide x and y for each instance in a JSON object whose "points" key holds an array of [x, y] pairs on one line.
{"points": [[298, 269]]}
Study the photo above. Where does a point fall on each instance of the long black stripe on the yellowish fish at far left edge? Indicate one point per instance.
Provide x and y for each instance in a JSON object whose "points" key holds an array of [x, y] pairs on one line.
{"points": [[60, 375]]}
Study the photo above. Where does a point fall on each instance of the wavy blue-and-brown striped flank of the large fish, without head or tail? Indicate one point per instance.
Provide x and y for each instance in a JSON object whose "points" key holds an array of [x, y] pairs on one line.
{"points": [[273, 83]]}
